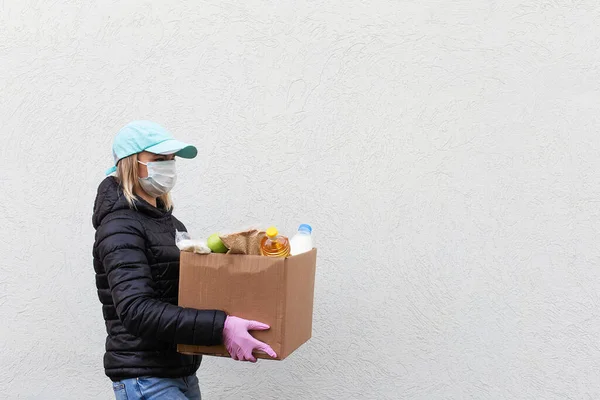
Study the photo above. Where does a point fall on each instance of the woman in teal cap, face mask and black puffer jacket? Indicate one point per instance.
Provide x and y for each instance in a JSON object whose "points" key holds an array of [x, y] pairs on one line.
{"points": [[137, 273]]}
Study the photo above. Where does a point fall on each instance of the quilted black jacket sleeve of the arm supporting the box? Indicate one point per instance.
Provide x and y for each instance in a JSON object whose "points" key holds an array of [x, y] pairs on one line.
{"points": [[121, 248]]}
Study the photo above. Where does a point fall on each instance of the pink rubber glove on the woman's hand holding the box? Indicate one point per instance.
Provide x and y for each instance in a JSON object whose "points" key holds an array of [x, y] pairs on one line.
{"points": [[240, 343]]}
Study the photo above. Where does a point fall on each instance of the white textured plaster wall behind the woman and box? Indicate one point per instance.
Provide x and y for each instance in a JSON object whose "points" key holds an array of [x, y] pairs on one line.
{"points": [[446, 153]]}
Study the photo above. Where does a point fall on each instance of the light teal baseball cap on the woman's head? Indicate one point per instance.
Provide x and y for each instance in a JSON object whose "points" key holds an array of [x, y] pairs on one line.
{"points": [[138, 136]]}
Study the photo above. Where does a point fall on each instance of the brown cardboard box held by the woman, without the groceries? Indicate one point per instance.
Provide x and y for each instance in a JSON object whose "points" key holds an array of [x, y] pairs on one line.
{"points": [[276, 291]]}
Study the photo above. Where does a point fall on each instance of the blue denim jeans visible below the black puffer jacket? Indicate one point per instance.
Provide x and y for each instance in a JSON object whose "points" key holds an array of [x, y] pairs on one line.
{"points": [[148, 388]]}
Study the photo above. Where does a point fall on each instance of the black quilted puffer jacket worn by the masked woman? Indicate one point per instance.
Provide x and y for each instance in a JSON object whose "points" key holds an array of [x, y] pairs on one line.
{"points": [[137, 276]]}
